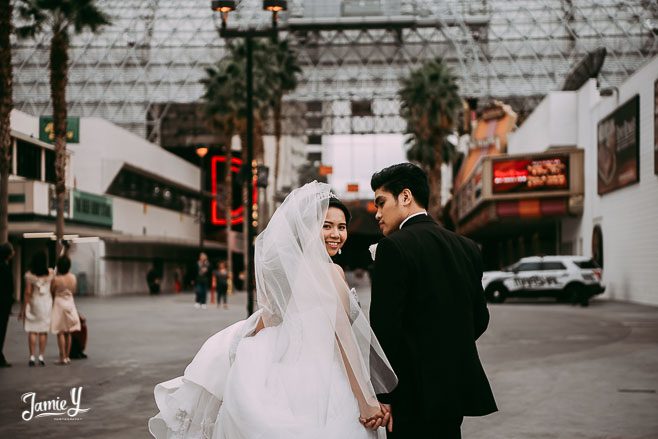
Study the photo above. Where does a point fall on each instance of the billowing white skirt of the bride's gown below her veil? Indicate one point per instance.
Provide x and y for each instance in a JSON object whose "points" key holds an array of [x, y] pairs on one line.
{"points": [[227, 393]]}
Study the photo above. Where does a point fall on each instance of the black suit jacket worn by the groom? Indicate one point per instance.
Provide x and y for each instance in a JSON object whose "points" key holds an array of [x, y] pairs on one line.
{"points": [[427, 310]]}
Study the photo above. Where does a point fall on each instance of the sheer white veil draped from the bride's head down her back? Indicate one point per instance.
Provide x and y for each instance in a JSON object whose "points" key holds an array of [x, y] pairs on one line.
{"points": [[301, 291]]}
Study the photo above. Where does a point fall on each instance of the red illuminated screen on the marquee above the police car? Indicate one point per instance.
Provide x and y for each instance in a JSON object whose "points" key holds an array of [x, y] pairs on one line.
{"points": [[531, 174]]}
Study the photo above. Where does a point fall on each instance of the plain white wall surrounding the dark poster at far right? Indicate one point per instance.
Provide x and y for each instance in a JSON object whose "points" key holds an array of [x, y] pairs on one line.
{"points": [[627, 216]]}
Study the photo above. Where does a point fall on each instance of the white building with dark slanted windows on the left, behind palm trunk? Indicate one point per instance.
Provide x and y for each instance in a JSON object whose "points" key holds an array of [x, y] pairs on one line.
{"points": [[135, 205]]}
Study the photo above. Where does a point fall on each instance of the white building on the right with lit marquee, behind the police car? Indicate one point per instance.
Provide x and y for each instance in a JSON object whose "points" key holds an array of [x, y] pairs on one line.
{"points": [[611, 217]]}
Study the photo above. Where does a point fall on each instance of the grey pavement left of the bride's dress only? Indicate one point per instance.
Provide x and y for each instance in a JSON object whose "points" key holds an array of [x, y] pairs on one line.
{"points": [[134, 343]]}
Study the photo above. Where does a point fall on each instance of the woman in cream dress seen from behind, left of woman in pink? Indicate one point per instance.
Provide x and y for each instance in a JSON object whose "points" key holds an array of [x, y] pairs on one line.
{"points": [[37, 305]]}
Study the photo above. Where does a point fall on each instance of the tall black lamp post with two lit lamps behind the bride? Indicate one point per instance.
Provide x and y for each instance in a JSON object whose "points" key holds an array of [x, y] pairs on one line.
{"points": [[224, 7]]}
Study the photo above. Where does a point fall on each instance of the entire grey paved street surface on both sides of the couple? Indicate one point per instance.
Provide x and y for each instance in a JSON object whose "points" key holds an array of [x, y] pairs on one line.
{"points": [[557, 371]]}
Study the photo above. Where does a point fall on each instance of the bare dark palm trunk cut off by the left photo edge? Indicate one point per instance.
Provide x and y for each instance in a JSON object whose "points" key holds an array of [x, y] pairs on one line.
{"points": [[6, 105]]}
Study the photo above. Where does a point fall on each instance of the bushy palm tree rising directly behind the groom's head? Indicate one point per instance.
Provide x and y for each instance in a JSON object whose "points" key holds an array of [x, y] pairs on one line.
{"points": [[429, 104]]}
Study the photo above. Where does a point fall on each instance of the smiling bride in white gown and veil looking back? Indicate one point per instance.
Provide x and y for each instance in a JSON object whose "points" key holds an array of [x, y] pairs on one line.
{"points": [[306, 364]]}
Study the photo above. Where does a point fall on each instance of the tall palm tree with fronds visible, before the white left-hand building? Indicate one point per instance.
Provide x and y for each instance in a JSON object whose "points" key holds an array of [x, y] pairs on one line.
{"points": [[61, 18]]}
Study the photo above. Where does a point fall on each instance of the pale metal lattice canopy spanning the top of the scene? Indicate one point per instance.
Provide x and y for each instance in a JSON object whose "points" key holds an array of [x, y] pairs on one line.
{"points": [[352, 52]]}
